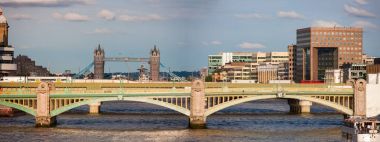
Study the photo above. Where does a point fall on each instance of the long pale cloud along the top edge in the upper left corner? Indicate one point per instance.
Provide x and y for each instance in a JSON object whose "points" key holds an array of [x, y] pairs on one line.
{"points": [[44, 3]]}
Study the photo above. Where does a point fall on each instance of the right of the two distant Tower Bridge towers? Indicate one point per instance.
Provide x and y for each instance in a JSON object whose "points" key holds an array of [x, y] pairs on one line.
{"points": [[154, 62]]}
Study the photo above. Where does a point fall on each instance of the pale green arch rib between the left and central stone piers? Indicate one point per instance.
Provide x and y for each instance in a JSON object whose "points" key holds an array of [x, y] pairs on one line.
{"points": [[144, 100]]}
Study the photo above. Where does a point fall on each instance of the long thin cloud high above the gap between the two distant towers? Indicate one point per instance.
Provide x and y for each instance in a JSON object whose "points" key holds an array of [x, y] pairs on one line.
{"points": [[131, 18]]}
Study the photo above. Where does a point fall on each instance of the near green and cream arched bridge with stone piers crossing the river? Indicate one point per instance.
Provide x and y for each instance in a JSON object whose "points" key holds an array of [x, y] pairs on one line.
{"points": [[196, 100]]}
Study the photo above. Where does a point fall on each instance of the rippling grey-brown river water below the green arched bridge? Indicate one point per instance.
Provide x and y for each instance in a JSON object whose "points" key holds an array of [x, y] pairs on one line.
{"points": [[131, 121]]}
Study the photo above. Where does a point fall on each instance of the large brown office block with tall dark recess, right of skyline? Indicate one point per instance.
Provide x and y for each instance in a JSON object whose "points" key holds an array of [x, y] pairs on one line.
{"points": [[321, 48]]}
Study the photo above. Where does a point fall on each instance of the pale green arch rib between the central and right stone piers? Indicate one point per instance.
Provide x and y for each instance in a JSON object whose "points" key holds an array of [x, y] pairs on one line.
{"points": [[224, 105]]}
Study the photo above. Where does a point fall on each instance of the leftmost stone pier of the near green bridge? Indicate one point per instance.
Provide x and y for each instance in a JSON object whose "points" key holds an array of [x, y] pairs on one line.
{"points": [[43, 117]]}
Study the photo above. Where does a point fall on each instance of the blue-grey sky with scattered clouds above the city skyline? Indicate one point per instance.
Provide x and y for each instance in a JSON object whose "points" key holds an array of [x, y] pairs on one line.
{"points": [[61, 34]]}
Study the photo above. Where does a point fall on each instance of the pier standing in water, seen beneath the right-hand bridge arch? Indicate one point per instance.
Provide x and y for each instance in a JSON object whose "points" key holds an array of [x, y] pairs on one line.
{"points": [[299, 106]]}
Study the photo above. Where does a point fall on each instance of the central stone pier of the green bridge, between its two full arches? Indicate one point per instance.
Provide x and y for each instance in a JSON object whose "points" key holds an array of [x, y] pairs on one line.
{"points": [[197, 118]]}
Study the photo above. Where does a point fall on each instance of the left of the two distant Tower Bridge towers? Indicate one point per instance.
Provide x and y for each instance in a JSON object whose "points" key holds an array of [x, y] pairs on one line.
{"points": [[99, 63]]}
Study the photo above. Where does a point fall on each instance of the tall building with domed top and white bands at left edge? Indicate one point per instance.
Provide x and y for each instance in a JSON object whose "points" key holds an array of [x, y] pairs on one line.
{"points": [[6, 51]]}
